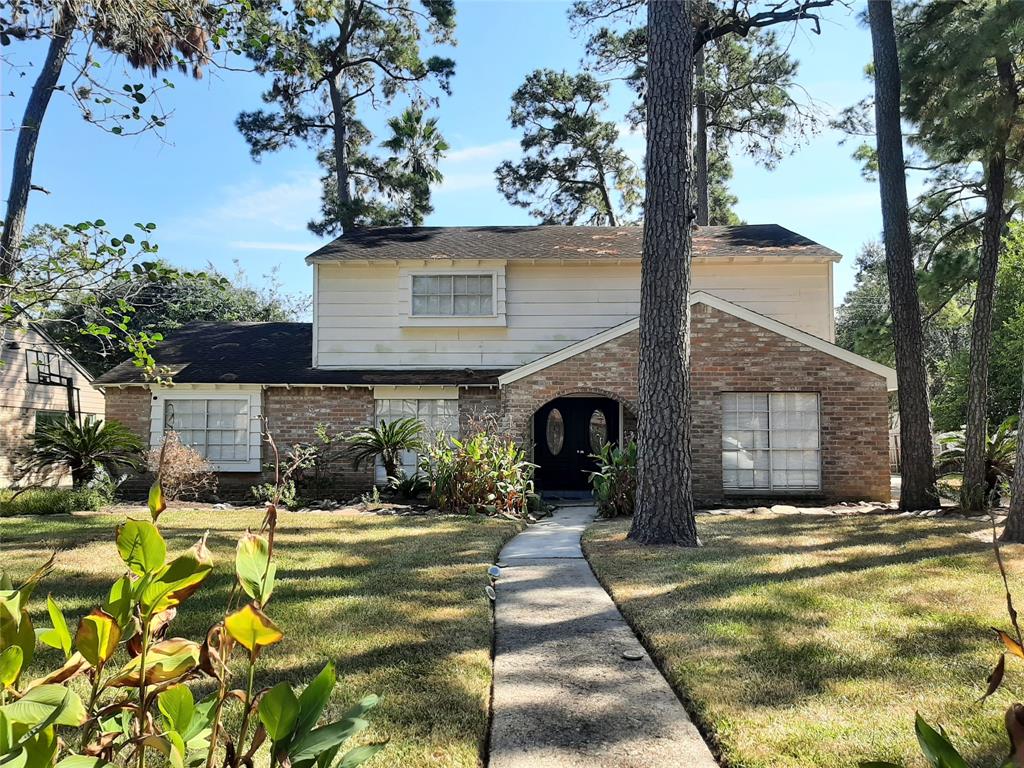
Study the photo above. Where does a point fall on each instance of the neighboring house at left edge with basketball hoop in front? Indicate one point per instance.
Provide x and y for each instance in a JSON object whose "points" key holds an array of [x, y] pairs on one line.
{"points": [[39, 382]]}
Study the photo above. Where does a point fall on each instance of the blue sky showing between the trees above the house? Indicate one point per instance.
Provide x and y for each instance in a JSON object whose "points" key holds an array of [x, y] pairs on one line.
{"points": [[214, 204]]}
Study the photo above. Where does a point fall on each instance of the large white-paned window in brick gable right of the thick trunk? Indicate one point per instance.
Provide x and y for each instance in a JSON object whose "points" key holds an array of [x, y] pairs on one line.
{"points": [[772, 442]]}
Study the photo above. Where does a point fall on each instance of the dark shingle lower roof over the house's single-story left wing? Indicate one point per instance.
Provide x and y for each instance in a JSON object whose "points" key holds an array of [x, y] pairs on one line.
{"points": [[268, 354]]}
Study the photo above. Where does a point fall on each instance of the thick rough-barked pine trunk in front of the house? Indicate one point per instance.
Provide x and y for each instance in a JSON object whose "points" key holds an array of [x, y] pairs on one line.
{"points": [[665, 503]]}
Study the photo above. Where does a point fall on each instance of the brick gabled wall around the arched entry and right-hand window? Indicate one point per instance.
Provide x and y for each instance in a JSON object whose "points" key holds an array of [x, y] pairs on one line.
{"points": [[731, 355]]}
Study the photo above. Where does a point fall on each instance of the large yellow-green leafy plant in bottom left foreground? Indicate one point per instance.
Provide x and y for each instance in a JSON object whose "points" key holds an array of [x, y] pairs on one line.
{"points": [[139, 702]]}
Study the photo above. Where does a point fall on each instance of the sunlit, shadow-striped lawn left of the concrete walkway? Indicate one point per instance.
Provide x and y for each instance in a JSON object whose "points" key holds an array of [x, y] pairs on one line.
{"points": [[397, 603]]}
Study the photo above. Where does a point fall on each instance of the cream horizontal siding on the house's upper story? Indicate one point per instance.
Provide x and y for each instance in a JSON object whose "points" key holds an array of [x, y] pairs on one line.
{"points": [[546, 307]]}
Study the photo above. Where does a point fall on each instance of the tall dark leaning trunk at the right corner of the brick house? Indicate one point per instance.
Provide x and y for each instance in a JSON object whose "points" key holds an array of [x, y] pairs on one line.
{"points": [[917, 465]]}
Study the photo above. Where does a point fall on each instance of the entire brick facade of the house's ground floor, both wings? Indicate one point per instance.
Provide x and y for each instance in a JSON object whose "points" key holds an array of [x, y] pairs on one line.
{"points": [[728, 355]]}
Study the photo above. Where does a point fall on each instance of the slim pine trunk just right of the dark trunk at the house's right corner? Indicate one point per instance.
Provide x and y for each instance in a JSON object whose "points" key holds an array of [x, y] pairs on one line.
{"points": [[974, 491]]}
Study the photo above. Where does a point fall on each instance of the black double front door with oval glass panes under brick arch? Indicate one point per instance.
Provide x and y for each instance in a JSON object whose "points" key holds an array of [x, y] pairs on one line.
{"points": [[567, 433]]}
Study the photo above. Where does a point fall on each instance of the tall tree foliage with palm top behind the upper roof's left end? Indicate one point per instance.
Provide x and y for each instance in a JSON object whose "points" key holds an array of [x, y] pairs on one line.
{"points": [[327, 60]]}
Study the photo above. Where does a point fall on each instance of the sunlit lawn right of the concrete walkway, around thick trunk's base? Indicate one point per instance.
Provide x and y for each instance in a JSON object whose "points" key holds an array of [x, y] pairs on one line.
{"points": [[812, 642]]}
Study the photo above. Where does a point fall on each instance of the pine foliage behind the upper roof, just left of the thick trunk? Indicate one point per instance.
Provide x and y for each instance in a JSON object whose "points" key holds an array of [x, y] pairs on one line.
{"points": [[573, 169]]}
